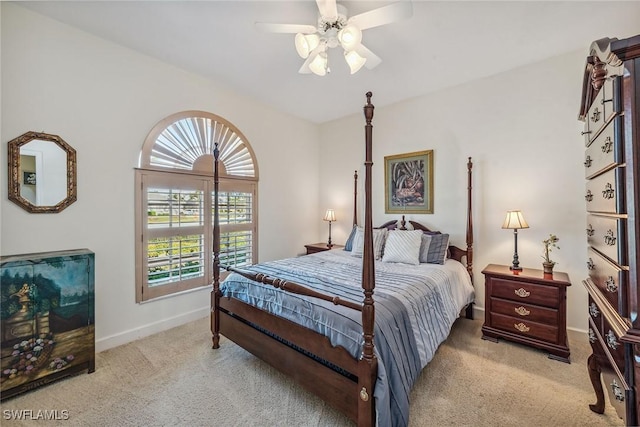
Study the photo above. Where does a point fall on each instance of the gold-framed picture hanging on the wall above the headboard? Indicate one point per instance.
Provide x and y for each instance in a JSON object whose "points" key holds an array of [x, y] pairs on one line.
{"points": [[408, 185]]}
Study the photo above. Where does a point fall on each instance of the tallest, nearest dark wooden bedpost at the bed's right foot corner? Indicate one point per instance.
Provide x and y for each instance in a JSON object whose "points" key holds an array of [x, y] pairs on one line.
{"points": [[368, 369]]}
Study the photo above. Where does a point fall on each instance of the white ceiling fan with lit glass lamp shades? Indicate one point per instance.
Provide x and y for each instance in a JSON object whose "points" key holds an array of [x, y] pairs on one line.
{"points": [[335, 29]]}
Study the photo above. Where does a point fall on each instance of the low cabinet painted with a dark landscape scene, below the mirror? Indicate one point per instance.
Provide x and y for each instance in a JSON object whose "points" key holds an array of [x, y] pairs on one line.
{"points": [[47, 312]]}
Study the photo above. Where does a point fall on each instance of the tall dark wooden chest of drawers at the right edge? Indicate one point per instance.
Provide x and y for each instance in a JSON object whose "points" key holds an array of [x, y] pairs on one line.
{"points": [[610, 110]]}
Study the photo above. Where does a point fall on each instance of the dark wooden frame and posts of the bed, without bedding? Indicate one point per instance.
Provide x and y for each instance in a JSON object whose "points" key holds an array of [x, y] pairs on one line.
{"points": [[299, 352]]}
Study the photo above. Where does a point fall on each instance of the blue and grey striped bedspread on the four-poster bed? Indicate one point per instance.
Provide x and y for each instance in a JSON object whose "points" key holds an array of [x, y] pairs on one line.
{"points": [[415, 308]]}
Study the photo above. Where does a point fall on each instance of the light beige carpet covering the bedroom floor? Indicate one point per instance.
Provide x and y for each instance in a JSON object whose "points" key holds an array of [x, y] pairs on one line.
{"points": [[174, 378]]}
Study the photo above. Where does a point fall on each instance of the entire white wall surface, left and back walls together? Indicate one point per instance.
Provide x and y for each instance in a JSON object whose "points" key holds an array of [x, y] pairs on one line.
{"points": [[520, 127]]}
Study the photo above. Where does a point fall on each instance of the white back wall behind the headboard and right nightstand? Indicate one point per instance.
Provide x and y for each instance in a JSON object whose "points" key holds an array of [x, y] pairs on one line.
{"points": [[521, 130]]}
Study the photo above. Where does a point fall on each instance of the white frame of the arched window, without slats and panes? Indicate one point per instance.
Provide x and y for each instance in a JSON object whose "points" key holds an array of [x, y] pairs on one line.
{"points": [[200, 178]]}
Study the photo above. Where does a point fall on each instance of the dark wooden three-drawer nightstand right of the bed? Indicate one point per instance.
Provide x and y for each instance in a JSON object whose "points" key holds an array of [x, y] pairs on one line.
{"points": [[528, 307]]}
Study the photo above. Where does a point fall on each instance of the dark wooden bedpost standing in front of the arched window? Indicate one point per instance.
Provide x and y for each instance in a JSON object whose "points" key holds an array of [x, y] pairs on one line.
{"points": [[215, 293]]}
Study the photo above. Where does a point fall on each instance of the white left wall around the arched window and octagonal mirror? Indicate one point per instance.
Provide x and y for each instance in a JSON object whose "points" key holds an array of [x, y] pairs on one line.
{"points": [[103, 99]]}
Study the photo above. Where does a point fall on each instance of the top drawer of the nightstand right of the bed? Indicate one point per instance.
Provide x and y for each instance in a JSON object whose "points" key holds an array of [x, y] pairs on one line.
{"points": [[529, 293]]}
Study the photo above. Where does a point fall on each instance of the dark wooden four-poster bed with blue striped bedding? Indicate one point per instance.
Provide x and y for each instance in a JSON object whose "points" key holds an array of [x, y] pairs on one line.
{"points": [[312, 317]]}
